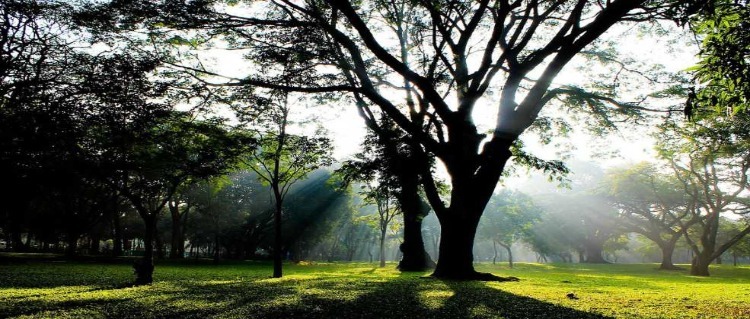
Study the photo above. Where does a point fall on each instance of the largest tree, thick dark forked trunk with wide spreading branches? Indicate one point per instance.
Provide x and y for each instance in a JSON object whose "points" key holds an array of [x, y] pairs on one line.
{"points": [[459, 52]]}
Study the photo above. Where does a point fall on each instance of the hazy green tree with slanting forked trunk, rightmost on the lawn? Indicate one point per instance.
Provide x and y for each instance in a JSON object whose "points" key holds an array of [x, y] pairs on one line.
{"points": [[711, 159]]}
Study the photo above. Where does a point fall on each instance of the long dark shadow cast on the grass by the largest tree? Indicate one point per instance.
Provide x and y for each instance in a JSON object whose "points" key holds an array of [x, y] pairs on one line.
{"points": [[407, 297]]}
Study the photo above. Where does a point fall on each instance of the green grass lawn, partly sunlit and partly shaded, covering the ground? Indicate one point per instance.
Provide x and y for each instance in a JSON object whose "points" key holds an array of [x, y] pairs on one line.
{"points": [[49, 289]]}
